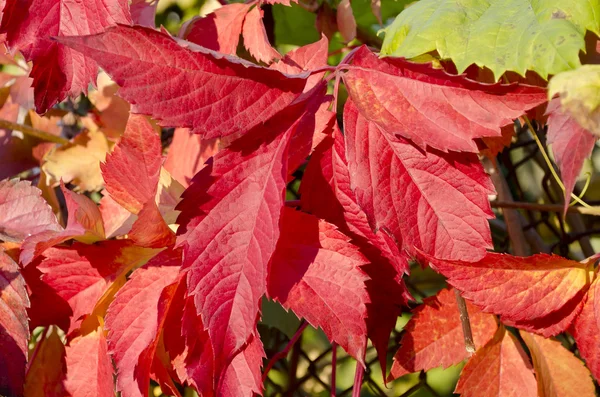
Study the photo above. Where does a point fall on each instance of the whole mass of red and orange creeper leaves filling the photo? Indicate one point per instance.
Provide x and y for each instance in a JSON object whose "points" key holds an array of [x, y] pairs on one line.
{"points": [[168, 285]]}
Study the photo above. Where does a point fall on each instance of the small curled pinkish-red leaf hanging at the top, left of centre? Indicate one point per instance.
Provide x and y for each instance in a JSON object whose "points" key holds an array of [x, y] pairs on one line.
{"points": [[255, 37]]}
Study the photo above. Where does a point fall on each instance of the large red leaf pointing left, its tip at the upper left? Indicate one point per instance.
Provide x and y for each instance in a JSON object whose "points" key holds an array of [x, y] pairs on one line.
{"points": [[227, 95]]}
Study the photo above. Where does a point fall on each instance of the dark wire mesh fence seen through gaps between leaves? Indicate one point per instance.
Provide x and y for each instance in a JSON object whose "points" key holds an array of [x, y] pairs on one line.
{"points": [[528, 220]]}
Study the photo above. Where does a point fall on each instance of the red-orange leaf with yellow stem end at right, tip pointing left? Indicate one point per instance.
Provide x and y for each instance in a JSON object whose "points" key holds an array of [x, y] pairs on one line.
{"points": [[541, 293]]}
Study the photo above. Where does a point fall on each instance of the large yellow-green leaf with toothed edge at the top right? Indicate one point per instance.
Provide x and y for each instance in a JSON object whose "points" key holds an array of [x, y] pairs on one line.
{"points": [[503, 35]]}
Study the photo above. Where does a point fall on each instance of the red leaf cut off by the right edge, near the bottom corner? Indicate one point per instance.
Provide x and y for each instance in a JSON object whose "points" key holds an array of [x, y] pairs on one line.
{"points": [[586, 329]]}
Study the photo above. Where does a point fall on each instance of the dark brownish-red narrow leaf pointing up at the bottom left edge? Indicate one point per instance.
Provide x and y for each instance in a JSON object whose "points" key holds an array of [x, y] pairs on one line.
{"points": [[47, 369]]}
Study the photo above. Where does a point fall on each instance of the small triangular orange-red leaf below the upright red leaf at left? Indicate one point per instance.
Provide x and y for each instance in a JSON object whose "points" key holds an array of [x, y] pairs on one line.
{"points": [[150, 229]]}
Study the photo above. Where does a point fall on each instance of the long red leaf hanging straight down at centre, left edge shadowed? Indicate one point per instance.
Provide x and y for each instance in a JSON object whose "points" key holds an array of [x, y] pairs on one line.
{"points": [[229, 223]]}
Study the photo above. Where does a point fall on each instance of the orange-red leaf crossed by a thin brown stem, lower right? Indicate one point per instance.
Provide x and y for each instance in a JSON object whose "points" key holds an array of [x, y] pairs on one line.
{"points": [[434, 338]]}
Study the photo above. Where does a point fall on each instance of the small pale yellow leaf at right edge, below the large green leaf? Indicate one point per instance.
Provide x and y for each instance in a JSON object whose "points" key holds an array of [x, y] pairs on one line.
{"points": [[579, 93]]}
